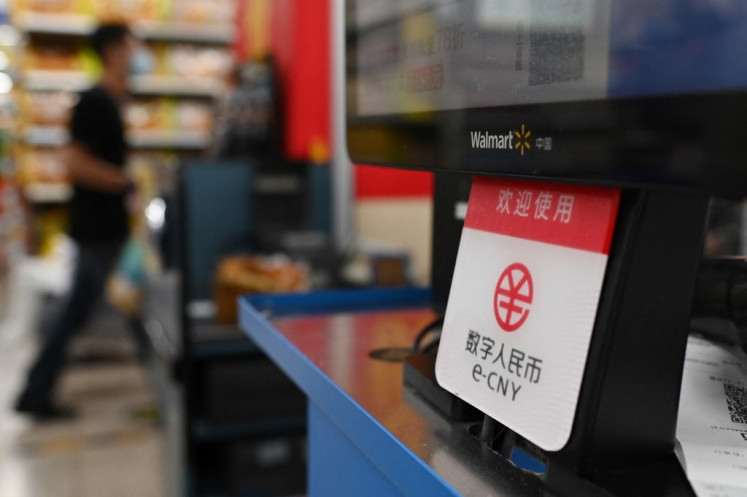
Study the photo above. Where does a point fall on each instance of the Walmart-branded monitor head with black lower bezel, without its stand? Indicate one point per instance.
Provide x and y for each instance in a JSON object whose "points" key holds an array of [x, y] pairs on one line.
{"points": [[603, 91]]}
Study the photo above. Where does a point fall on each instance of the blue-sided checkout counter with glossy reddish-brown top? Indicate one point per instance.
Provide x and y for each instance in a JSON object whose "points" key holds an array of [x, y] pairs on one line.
{"points": [[368, 434]]}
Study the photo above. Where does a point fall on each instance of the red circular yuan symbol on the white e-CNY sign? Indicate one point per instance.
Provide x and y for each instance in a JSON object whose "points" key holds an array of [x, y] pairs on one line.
{"points": [[513, 297]]}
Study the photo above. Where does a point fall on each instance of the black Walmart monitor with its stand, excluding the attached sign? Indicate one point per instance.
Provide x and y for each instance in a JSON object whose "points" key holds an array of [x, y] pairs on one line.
{"points": [[649, 97]]}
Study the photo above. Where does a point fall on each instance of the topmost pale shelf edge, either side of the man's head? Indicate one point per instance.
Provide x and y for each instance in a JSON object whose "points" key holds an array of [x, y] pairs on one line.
{"points": [[79, 25]]}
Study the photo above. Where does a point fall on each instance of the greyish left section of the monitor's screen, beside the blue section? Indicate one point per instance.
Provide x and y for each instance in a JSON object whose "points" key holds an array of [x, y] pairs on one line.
{"points": [[476, 53]]}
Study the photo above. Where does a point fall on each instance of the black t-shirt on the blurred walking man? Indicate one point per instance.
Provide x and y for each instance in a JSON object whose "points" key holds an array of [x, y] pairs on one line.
{"points": [[97, 124]]}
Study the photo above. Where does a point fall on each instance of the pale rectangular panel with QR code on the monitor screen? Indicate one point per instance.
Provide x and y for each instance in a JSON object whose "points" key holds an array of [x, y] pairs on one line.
{"points": [[557, 42]]}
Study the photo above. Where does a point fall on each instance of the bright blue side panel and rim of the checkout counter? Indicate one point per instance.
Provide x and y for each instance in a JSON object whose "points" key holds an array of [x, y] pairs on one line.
{"points": [[346, 428]]}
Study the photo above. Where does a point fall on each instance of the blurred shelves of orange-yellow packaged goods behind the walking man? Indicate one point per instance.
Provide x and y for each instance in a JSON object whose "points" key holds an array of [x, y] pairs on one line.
{"points": [[170, 114]]}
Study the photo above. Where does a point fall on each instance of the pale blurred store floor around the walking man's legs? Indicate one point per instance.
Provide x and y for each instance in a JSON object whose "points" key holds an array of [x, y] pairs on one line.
{"points": [[112, 448]]}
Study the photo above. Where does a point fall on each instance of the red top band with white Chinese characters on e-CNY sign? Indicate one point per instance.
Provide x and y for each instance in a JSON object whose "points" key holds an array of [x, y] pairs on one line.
{"points": [[579, 217]]}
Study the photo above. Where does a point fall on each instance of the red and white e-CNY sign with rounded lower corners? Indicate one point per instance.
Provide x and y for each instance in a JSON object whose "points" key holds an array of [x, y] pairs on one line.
{"points": [[523, 302]]}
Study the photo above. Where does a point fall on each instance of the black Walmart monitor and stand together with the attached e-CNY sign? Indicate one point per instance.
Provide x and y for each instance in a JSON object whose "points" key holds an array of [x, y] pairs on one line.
{"points": [[594, 148]]}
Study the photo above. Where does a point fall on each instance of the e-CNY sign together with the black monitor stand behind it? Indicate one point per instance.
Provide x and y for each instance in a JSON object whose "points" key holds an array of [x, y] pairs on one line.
{"points": [[583, 295]]}
